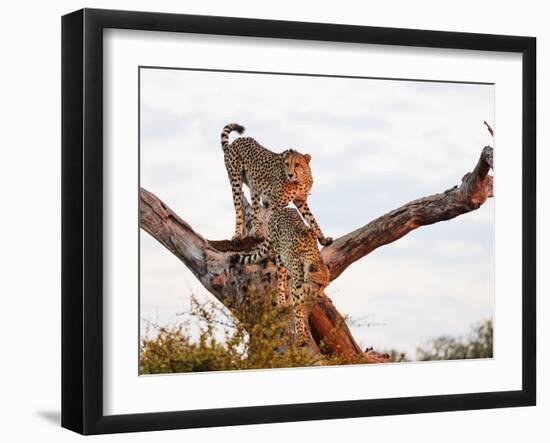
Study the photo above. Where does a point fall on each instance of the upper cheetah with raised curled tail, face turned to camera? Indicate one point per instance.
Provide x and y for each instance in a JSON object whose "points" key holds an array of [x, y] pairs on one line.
{"points": [[275, 178]]}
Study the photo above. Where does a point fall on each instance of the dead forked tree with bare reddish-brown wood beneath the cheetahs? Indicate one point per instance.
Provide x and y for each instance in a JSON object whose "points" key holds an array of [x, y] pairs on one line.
{"points": [[209, 259]]}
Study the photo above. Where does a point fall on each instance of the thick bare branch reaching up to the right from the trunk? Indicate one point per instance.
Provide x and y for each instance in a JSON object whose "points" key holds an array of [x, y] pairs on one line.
{"points": [[476, 187]]}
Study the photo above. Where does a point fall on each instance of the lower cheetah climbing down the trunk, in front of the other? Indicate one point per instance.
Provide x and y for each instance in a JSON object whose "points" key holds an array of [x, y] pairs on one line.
{"points": [[297, 257]]}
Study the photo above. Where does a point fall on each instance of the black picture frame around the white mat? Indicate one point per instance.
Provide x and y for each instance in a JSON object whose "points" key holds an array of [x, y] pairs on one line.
{"points": [[82, 220]]}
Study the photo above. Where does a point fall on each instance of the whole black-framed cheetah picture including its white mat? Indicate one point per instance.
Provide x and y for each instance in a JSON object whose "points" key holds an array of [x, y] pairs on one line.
{"points": [[268, 221]]}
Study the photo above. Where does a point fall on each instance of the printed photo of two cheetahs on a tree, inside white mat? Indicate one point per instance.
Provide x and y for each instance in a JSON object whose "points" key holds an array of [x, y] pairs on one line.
{"points": [[297, 220]]}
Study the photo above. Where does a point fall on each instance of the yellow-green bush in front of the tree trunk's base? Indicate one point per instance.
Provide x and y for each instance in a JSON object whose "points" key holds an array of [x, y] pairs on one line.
{"points": [[223, 343]]}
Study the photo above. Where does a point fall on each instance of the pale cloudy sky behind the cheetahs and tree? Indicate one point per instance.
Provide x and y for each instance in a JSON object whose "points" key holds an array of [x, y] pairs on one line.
{"points": [[375, 145]]}
